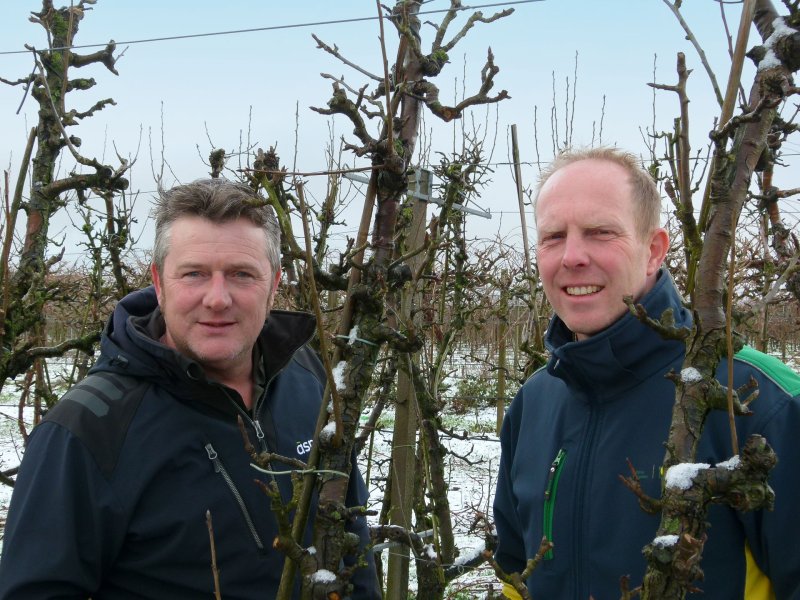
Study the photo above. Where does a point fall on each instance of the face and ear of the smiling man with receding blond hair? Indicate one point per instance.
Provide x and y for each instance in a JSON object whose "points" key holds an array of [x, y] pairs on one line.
{"points": [[589, 252]]}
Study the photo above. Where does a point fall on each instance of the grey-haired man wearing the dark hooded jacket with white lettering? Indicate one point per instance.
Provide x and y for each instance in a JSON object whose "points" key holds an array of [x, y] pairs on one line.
{"points": [[113, 493]]}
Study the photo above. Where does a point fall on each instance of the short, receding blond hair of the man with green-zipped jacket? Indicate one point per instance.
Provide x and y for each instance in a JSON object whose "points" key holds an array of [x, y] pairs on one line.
{"points": [[646, 197]]}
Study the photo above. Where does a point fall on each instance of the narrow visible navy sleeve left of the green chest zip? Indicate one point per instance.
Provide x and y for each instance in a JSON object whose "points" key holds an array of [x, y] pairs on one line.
{"points": [[510, 553]]}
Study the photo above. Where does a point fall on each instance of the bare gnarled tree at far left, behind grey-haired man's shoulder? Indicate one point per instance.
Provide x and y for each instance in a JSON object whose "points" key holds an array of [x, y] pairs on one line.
{"points": [[33, 280]]}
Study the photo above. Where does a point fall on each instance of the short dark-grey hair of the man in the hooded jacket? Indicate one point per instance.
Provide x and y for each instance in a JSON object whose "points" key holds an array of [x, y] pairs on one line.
{"points": [[219, 201]]}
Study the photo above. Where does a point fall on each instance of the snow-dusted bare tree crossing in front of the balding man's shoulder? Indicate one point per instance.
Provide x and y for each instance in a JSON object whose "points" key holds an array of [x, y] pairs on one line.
{"points": [[742, 145]]}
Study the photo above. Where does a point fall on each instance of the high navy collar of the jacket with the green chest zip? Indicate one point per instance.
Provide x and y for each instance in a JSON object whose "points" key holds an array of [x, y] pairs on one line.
{"points": [[623, 355]]}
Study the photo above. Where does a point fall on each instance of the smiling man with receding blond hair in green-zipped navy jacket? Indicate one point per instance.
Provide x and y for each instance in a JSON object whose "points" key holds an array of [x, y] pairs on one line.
{"points": [[602, 400]]}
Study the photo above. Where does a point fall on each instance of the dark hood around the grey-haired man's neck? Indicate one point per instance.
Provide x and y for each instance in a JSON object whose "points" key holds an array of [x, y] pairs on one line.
{"points": [[130, 346]]}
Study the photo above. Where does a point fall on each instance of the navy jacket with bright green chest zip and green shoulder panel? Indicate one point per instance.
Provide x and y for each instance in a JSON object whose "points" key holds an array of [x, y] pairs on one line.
{"points": [[599, 402]]}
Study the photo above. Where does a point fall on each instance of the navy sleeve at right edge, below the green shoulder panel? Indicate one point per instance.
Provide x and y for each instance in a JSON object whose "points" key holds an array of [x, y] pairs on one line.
{"points": [[772, 535]]}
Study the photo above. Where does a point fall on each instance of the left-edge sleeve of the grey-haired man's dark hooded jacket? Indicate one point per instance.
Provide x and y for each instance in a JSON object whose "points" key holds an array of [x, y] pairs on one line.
{"points": [[60, 530]]}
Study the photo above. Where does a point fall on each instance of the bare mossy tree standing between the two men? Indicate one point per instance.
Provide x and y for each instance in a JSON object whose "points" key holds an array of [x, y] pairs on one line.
{"points": [[376, 269]]}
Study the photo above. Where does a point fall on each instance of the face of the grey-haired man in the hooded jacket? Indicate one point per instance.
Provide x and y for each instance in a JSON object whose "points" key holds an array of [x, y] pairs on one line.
{"points": [[215, 292]]}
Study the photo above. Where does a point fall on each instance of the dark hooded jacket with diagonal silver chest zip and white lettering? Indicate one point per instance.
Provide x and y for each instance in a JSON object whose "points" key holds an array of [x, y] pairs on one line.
{"points": [[112, 494]]}
